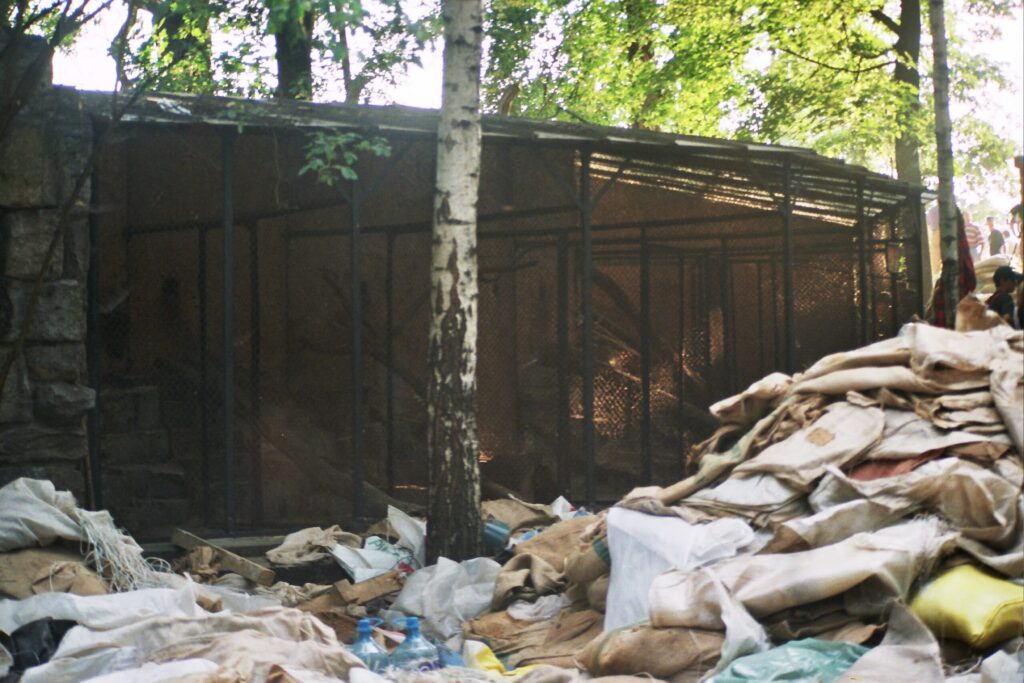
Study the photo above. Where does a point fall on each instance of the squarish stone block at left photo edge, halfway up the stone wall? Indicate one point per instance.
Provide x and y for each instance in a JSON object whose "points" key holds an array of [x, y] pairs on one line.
{"points": [[25, 240]]}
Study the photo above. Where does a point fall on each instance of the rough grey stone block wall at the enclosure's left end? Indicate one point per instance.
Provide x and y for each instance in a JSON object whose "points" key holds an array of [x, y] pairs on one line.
{"points": [[46, 400]]}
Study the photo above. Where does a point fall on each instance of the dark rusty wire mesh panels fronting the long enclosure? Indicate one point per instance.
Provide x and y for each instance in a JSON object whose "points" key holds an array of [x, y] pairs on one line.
{"points": [[694, 304]]}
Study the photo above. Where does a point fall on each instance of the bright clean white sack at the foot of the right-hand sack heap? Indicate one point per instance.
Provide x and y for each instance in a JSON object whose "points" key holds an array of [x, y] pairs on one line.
{"points": [[645, 546]]}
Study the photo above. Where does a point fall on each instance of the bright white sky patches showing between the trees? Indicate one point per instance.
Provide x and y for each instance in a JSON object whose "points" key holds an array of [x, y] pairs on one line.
{"points": [[90, 67]]}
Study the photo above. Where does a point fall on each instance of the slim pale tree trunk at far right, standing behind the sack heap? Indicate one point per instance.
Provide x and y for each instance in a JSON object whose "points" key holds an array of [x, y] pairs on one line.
{"points": [[945, 149]]}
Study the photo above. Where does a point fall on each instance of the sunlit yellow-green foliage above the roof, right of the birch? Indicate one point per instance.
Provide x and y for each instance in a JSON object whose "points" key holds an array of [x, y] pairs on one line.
{"points": [[812, 73]]}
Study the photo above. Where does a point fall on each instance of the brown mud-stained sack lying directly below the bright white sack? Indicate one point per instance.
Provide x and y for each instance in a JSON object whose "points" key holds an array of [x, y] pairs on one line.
{"points": [[645, 650]]}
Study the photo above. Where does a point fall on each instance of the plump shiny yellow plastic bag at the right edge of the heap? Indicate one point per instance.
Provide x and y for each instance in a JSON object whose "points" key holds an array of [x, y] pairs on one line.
{"points": [[970, 606]]}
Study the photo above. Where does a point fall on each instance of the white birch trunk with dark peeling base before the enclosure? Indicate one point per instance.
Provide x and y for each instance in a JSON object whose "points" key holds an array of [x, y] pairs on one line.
{"points": [[454, 524]]}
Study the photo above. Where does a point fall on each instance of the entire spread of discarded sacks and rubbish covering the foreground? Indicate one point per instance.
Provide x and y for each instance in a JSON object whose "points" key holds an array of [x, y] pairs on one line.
{"points": [[860, 522]]}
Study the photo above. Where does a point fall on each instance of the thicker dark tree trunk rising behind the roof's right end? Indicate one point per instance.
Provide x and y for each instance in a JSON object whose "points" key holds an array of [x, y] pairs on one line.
{"points": [[908, 157]]}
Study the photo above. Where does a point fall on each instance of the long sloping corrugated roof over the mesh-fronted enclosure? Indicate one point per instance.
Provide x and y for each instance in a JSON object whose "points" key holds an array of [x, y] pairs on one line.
{"points": [[745, 174]]}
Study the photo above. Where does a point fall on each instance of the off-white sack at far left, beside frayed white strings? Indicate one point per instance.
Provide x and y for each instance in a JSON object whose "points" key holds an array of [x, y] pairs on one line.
{"points": [[34, 514]]}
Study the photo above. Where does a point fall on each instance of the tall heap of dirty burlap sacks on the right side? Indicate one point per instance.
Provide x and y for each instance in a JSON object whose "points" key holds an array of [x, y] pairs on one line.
{"points": [[825, 506]]}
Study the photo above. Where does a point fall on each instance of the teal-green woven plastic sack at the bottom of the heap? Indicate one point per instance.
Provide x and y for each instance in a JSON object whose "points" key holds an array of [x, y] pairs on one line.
{"points": [[807, 660]]}
